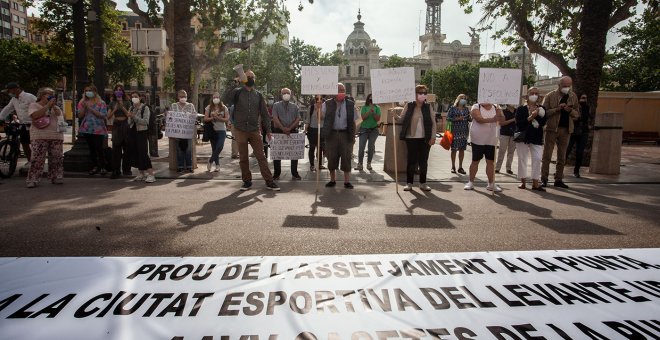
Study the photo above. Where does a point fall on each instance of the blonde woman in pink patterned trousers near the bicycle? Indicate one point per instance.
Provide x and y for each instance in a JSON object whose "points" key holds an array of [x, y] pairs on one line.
{"points": [[46, 138]]}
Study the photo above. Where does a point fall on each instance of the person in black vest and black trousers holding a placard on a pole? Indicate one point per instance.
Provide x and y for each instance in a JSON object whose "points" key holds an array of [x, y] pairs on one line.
{"points": [[418, 131]]}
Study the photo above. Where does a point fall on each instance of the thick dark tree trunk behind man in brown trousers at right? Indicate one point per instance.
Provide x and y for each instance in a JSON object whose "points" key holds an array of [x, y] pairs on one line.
{"points": [[594, 26]]}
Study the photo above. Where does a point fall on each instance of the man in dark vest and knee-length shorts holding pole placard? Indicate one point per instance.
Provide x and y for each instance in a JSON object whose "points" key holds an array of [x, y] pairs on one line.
{"points": [[339, 132]]}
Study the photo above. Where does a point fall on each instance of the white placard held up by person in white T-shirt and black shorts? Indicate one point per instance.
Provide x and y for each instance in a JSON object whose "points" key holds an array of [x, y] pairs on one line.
{"points": [[499, 85]]}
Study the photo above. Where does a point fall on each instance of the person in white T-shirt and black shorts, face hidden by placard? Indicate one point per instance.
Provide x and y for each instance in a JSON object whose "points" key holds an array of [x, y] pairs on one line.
{"points": [[483, 133]]}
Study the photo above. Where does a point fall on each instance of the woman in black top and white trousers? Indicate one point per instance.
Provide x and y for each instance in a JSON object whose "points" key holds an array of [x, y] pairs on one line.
{"points": [[530, 120]]}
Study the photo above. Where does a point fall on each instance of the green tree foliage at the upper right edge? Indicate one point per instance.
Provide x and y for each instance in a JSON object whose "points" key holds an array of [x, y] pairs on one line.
{"points": [[635, 66]]}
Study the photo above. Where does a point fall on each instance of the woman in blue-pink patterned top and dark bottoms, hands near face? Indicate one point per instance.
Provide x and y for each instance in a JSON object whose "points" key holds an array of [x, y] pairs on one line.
{"points": [[93, 112]]}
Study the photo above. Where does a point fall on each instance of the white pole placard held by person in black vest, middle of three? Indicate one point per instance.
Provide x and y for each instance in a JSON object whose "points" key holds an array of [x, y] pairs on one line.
{"points": [[392, 85]]}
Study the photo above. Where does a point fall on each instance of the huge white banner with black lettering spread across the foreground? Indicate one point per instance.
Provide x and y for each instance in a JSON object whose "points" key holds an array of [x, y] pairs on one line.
{"points": [[569, 294]]}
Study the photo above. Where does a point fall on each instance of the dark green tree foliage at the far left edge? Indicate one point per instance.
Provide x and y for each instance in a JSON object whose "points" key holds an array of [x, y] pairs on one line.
{"points": [[29, 65]]}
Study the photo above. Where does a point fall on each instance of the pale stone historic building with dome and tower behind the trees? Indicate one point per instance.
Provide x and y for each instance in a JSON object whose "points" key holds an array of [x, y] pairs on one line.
{"points": [[363, 53]]}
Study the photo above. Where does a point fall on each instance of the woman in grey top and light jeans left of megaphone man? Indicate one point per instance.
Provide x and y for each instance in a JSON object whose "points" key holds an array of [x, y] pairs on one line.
{"points": [[217, 114]]}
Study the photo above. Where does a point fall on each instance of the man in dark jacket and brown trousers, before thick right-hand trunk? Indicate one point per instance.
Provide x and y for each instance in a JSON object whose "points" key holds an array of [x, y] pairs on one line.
{"points": [[561, 108]]}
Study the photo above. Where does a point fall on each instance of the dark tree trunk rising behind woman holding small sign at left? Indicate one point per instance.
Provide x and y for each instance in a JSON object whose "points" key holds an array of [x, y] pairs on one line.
{"points": [[182, 41]]}
